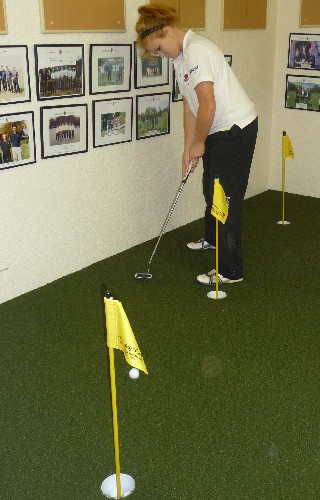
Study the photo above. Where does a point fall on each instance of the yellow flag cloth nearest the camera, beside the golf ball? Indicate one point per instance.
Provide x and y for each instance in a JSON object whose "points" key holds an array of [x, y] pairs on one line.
{"points": [[120, 334]]}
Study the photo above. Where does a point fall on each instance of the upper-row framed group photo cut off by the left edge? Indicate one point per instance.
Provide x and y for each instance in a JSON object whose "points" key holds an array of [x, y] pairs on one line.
{"points": [[14, 74]]}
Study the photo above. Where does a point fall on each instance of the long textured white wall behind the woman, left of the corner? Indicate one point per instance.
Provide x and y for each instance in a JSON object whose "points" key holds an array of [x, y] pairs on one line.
{"points": [[62, 214]]}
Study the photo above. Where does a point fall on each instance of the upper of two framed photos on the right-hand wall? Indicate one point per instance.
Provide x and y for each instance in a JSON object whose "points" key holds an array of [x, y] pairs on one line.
{"points": [[304, 51]]}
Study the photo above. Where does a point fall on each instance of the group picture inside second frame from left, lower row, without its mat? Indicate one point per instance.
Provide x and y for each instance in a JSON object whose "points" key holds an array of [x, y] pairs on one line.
{"points": [[64, 129]]}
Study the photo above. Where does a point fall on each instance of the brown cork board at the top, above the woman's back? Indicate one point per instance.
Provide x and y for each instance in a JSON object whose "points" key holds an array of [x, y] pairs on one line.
{"points": [[244, 14]]}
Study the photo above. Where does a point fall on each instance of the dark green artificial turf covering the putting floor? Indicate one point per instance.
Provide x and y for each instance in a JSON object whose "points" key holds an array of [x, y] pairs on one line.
{"points": [[230, 408]]}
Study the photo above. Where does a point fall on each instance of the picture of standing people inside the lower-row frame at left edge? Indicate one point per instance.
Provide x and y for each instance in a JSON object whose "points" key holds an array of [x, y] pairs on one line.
{"points": [[14, 142]]}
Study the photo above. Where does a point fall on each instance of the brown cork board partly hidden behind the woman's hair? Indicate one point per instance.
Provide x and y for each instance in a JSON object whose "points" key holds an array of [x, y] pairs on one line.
{"points": [[192, 13]]}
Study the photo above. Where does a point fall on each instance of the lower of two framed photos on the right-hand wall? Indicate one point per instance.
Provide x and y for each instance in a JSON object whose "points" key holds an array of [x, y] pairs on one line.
{"points": [[303, 92]]}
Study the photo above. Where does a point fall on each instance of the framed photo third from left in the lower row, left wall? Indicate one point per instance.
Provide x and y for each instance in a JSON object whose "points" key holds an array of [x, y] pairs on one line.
{"points": [[112, 121]]}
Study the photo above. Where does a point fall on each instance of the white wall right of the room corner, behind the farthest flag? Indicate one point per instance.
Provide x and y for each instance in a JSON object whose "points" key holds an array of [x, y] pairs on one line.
{"points": [[302, 173]]}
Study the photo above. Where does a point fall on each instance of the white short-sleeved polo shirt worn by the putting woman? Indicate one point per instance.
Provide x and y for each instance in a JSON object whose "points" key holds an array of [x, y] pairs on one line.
{"points": [[202, 61]]}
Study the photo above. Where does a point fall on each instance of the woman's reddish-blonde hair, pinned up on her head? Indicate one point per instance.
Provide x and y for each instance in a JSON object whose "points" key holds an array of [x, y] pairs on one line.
{"points": [[152, 18]]}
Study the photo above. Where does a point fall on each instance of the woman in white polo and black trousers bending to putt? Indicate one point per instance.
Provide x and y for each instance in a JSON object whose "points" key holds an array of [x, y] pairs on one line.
{"points": [[220, 125]]}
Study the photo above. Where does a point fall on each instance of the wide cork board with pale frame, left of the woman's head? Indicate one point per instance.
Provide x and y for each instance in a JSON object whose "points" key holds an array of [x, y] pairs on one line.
{"points": [[82, 15]]}
